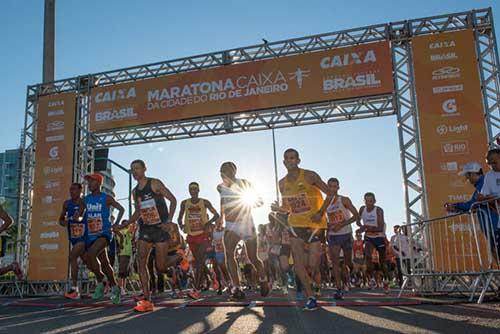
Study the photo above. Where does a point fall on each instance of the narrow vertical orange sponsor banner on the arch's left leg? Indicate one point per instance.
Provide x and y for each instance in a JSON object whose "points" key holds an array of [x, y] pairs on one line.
{"points": [[48, 255]]}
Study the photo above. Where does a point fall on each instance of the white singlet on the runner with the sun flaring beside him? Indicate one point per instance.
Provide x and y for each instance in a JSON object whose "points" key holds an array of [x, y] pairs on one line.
{"points": [[235, 210]]}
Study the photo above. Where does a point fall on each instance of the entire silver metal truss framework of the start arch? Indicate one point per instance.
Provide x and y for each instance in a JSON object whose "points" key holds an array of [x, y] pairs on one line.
{"points": [[402, 102]]}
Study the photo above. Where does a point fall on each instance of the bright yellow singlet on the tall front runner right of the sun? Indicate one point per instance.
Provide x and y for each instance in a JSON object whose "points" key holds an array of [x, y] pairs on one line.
{"points": [[303, 200]]}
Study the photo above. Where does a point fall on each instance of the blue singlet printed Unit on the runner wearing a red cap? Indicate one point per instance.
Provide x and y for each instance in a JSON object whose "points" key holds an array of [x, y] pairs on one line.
{"points": [[97, 213]]}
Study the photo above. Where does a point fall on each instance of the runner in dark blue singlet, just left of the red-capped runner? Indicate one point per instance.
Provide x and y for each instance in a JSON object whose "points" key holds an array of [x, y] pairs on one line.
{"points": [[72, 217]]}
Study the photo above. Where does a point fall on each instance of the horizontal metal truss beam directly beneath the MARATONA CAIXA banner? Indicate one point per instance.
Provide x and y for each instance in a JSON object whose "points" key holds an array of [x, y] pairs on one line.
{"points": [[252, 121]]}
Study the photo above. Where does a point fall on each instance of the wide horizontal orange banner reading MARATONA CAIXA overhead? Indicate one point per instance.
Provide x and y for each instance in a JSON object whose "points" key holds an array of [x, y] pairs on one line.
{"points": [[319, 76]]}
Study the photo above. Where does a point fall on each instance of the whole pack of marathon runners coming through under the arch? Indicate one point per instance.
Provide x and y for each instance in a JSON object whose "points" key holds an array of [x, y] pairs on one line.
{"points": [[310, 215]]}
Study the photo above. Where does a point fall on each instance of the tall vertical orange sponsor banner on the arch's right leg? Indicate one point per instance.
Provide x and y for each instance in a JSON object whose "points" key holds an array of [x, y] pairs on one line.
{"points": [[453, 133]]}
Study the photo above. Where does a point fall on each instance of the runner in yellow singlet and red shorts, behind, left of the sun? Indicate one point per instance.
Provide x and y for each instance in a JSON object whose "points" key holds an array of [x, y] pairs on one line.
{"points": [[193, 218]]}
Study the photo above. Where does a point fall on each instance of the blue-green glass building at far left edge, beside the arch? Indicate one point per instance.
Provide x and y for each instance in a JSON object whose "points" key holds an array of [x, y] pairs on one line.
{"points": [[10, 172]]}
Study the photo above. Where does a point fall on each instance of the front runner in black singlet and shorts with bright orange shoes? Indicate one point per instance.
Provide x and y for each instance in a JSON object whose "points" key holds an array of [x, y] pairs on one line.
{"points": [[152, 215]]}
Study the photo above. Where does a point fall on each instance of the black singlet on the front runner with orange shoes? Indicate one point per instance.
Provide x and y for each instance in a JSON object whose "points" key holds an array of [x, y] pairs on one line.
{"points": [[152, 205]]}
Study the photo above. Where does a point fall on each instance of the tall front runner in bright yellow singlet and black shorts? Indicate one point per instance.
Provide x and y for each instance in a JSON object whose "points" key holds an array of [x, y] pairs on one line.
{"points": [[301, 191]]}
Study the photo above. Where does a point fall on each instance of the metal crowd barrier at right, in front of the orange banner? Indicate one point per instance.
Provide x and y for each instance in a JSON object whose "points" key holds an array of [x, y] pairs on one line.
{"points": [[456, 253]]}
